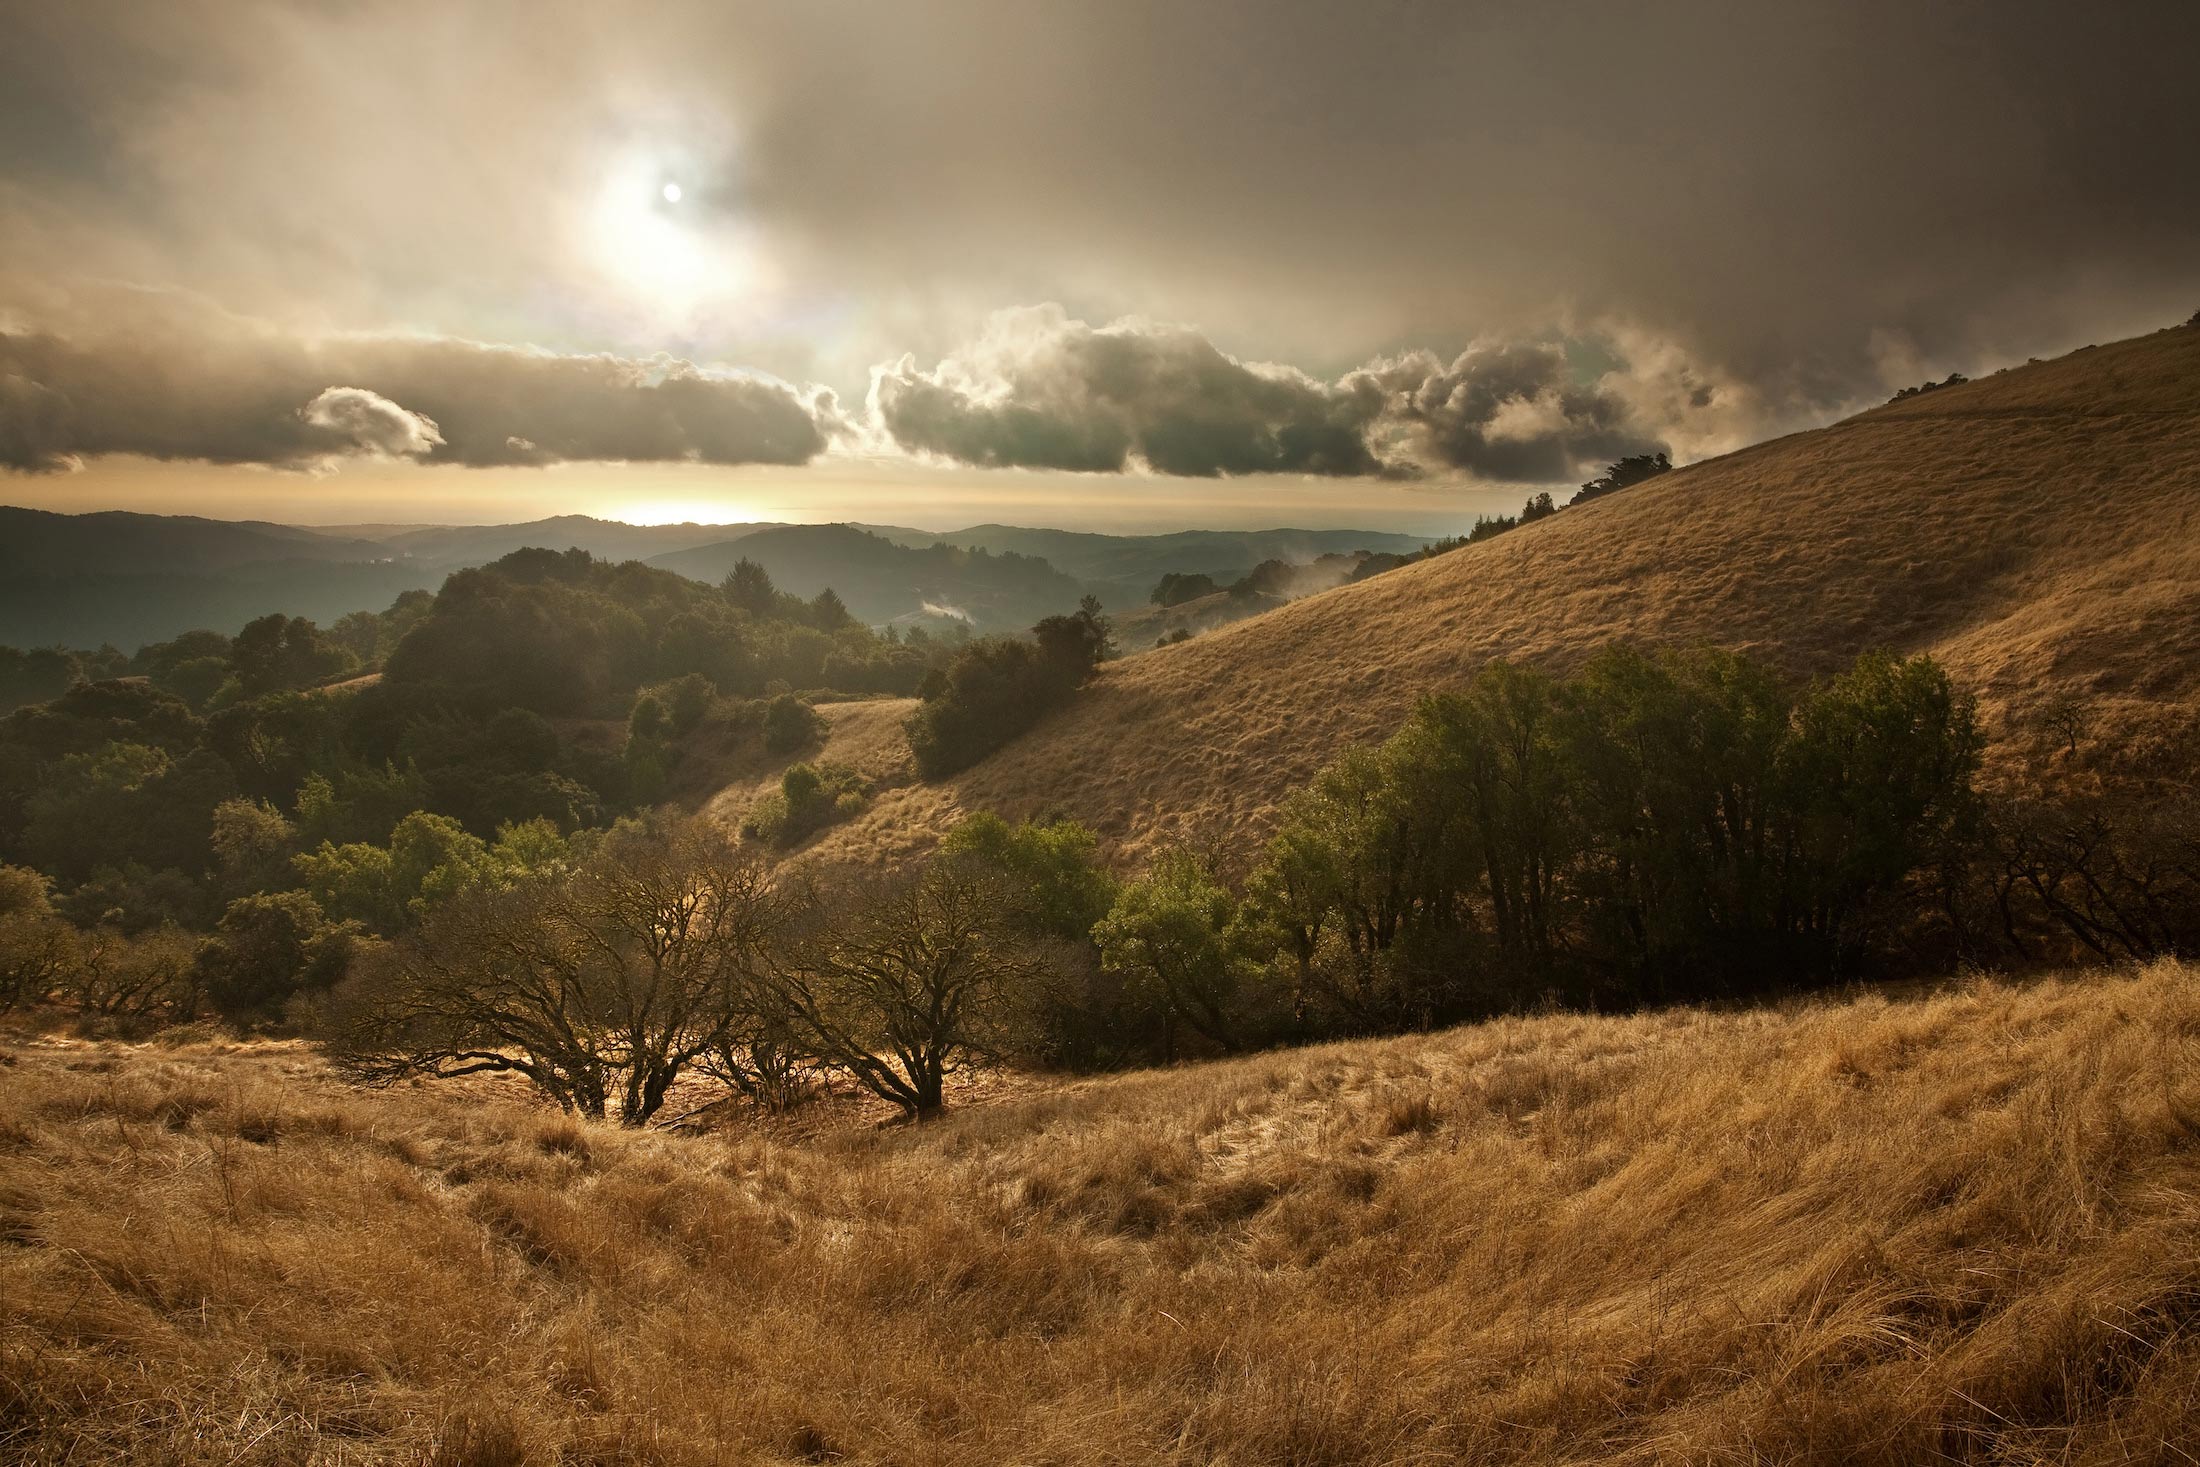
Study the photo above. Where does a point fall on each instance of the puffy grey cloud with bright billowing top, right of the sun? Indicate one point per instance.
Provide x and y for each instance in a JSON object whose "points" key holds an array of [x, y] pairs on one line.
{"points": [[1046, 393]]}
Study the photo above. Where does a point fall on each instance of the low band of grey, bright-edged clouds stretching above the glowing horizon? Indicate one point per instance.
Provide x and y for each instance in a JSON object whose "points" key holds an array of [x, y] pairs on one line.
{"points": [[1037, 390]]}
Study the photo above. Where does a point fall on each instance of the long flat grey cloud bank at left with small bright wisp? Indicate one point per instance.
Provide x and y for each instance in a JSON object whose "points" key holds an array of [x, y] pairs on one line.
{"points": [[243, 397]]}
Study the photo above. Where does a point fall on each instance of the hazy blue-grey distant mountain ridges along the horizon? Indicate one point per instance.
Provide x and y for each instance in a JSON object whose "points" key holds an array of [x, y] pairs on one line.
{"points": [[131, 580]]}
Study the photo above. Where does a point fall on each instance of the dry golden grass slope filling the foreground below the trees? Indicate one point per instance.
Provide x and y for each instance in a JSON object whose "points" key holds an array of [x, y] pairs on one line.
{"points": [[1961, 1228]]}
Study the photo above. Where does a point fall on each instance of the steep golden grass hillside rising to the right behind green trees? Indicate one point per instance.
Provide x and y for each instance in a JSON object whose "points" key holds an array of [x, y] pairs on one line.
{"points": [[2038, 531]]}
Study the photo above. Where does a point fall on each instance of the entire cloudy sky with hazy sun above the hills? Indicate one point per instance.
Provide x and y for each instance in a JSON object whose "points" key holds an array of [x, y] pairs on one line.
{"points": [[1066, 265]]}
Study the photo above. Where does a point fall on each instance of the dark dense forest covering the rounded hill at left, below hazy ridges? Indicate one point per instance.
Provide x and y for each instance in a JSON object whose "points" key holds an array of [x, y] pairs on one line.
{"points": [[549, 690]]}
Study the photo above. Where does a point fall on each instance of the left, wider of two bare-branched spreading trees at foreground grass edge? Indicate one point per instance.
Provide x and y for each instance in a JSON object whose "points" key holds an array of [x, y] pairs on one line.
{"points": [[599, 986]]}
